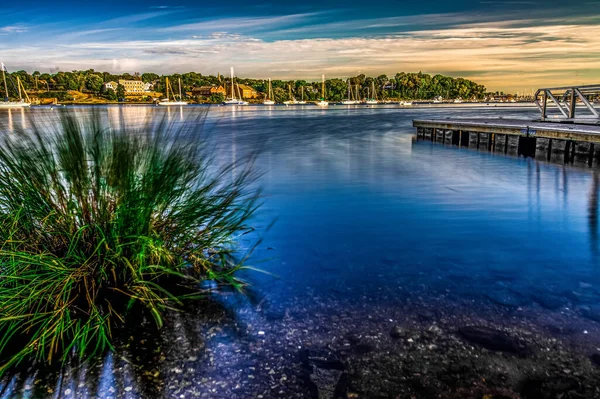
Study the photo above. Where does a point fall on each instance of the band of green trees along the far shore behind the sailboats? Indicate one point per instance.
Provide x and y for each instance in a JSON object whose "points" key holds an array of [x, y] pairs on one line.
{"points": [[405, 86]]}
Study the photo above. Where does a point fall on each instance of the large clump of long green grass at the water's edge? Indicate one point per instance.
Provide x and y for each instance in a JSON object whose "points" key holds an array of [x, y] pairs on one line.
{"points": [[98, 222]]}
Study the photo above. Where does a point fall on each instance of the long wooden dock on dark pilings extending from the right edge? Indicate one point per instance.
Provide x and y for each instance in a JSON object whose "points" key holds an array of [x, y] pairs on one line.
{"points": [[557, 142]]}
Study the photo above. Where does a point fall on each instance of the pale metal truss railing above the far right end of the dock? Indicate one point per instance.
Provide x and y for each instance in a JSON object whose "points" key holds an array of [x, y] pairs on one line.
{"points": [[573, 103]]}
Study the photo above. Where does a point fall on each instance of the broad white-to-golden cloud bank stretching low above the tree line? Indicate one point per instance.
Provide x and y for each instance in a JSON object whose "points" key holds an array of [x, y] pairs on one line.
{"points": [[515, 54]]}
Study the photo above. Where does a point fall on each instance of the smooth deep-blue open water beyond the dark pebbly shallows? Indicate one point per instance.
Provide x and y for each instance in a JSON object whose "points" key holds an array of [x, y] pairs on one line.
{"points": [[361, 207]]}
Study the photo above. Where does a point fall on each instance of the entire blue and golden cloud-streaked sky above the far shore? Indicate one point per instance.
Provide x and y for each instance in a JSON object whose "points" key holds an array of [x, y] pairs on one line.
{"points": [[509, 45]]}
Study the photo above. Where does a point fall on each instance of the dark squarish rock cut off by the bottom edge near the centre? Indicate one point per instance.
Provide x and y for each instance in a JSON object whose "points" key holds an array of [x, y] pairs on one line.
{"points": [[325, 374]]}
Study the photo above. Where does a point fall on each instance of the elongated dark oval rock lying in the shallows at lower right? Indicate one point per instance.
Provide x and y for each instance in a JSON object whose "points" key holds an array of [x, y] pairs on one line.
{"points": [[495, 340]]}
